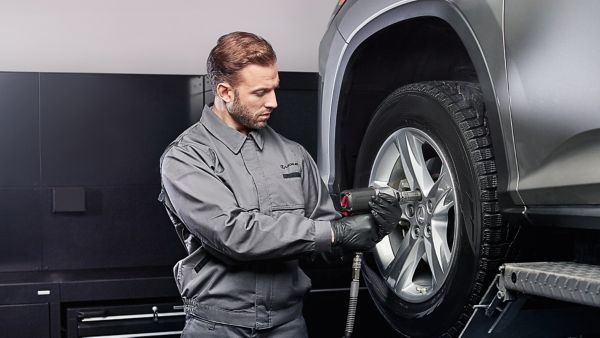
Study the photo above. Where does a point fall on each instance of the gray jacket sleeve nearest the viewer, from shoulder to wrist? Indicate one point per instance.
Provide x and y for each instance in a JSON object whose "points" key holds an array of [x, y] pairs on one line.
{"points": [[210, 211]]}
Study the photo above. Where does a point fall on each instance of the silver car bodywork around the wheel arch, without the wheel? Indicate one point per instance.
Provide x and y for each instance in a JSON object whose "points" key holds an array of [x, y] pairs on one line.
{"points": [[536, 64]]}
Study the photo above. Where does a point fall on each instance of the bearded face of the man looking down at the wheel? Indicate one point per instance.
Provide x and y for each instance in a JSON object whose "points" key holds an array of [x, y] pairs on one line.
{"points": [[254, 96]]}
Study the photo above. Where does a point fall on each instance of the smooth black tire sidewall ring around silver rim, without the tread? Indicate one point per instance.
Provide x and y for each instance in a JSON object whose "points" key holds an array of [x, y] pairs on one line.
{"points": [[421, 111]]}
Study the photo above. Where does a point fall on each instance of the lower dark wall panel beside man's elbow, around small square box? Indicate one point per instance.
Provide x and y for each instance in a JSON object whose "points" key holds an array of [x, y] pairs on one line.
{"points": [[122, 227]]}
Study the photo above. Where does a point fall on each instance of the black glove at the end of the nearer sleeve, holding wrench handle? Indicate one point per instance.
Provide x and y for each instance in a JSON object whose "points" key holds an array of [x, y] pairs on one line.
{"points": [[354, 233]]}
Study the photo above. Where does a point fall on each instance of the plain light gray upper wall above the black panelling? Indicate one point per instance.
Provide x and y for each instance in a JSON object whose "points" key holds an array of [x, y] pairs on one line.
{"points": [[149, 36]]}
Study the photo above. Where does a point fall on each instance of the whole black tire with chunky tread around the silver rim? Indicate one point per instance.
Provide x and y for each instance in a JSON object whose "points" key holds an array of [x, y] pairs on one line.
{"points": [[453, 114]]}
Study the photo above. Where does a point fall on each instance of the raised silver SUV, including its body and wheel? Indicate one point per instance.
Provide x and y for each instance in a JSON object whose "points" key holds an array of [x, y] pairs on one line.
{"points": [[489, 108]]}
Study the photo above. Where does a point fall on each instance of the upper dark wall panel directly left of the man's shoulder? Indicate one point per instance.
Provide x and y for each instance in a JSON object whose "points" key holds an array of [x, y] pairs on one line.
{"points": [[109, 129]]}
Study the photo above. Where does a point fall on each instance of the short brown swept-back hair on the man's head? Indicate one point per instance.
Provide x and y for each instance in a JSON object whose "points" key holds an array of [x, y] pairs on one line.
{"points": [[235, 51]]}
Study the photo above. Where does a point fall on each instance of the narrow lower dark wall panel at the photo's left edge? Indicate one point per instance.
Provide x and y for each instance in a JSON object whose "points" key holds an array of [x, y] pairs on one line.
{"points": [[20, 230]]}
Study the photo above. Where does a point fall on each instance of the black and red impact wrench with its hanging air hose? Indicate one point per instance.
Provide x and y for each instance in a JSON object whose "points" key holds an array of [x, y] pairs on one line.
{"points": [[355, 201]]}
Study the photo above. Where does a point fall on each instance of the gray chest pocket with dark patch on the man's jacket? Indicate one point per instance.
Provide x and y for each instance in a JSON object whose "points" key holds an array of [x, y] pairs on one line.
{"points": [[285, 187]]}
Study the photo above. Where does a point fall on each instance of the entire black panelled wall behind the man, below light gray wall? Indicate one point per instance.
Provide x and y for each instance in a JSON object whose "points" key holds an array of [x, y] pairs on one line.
{"points": [[103, 134]]}
